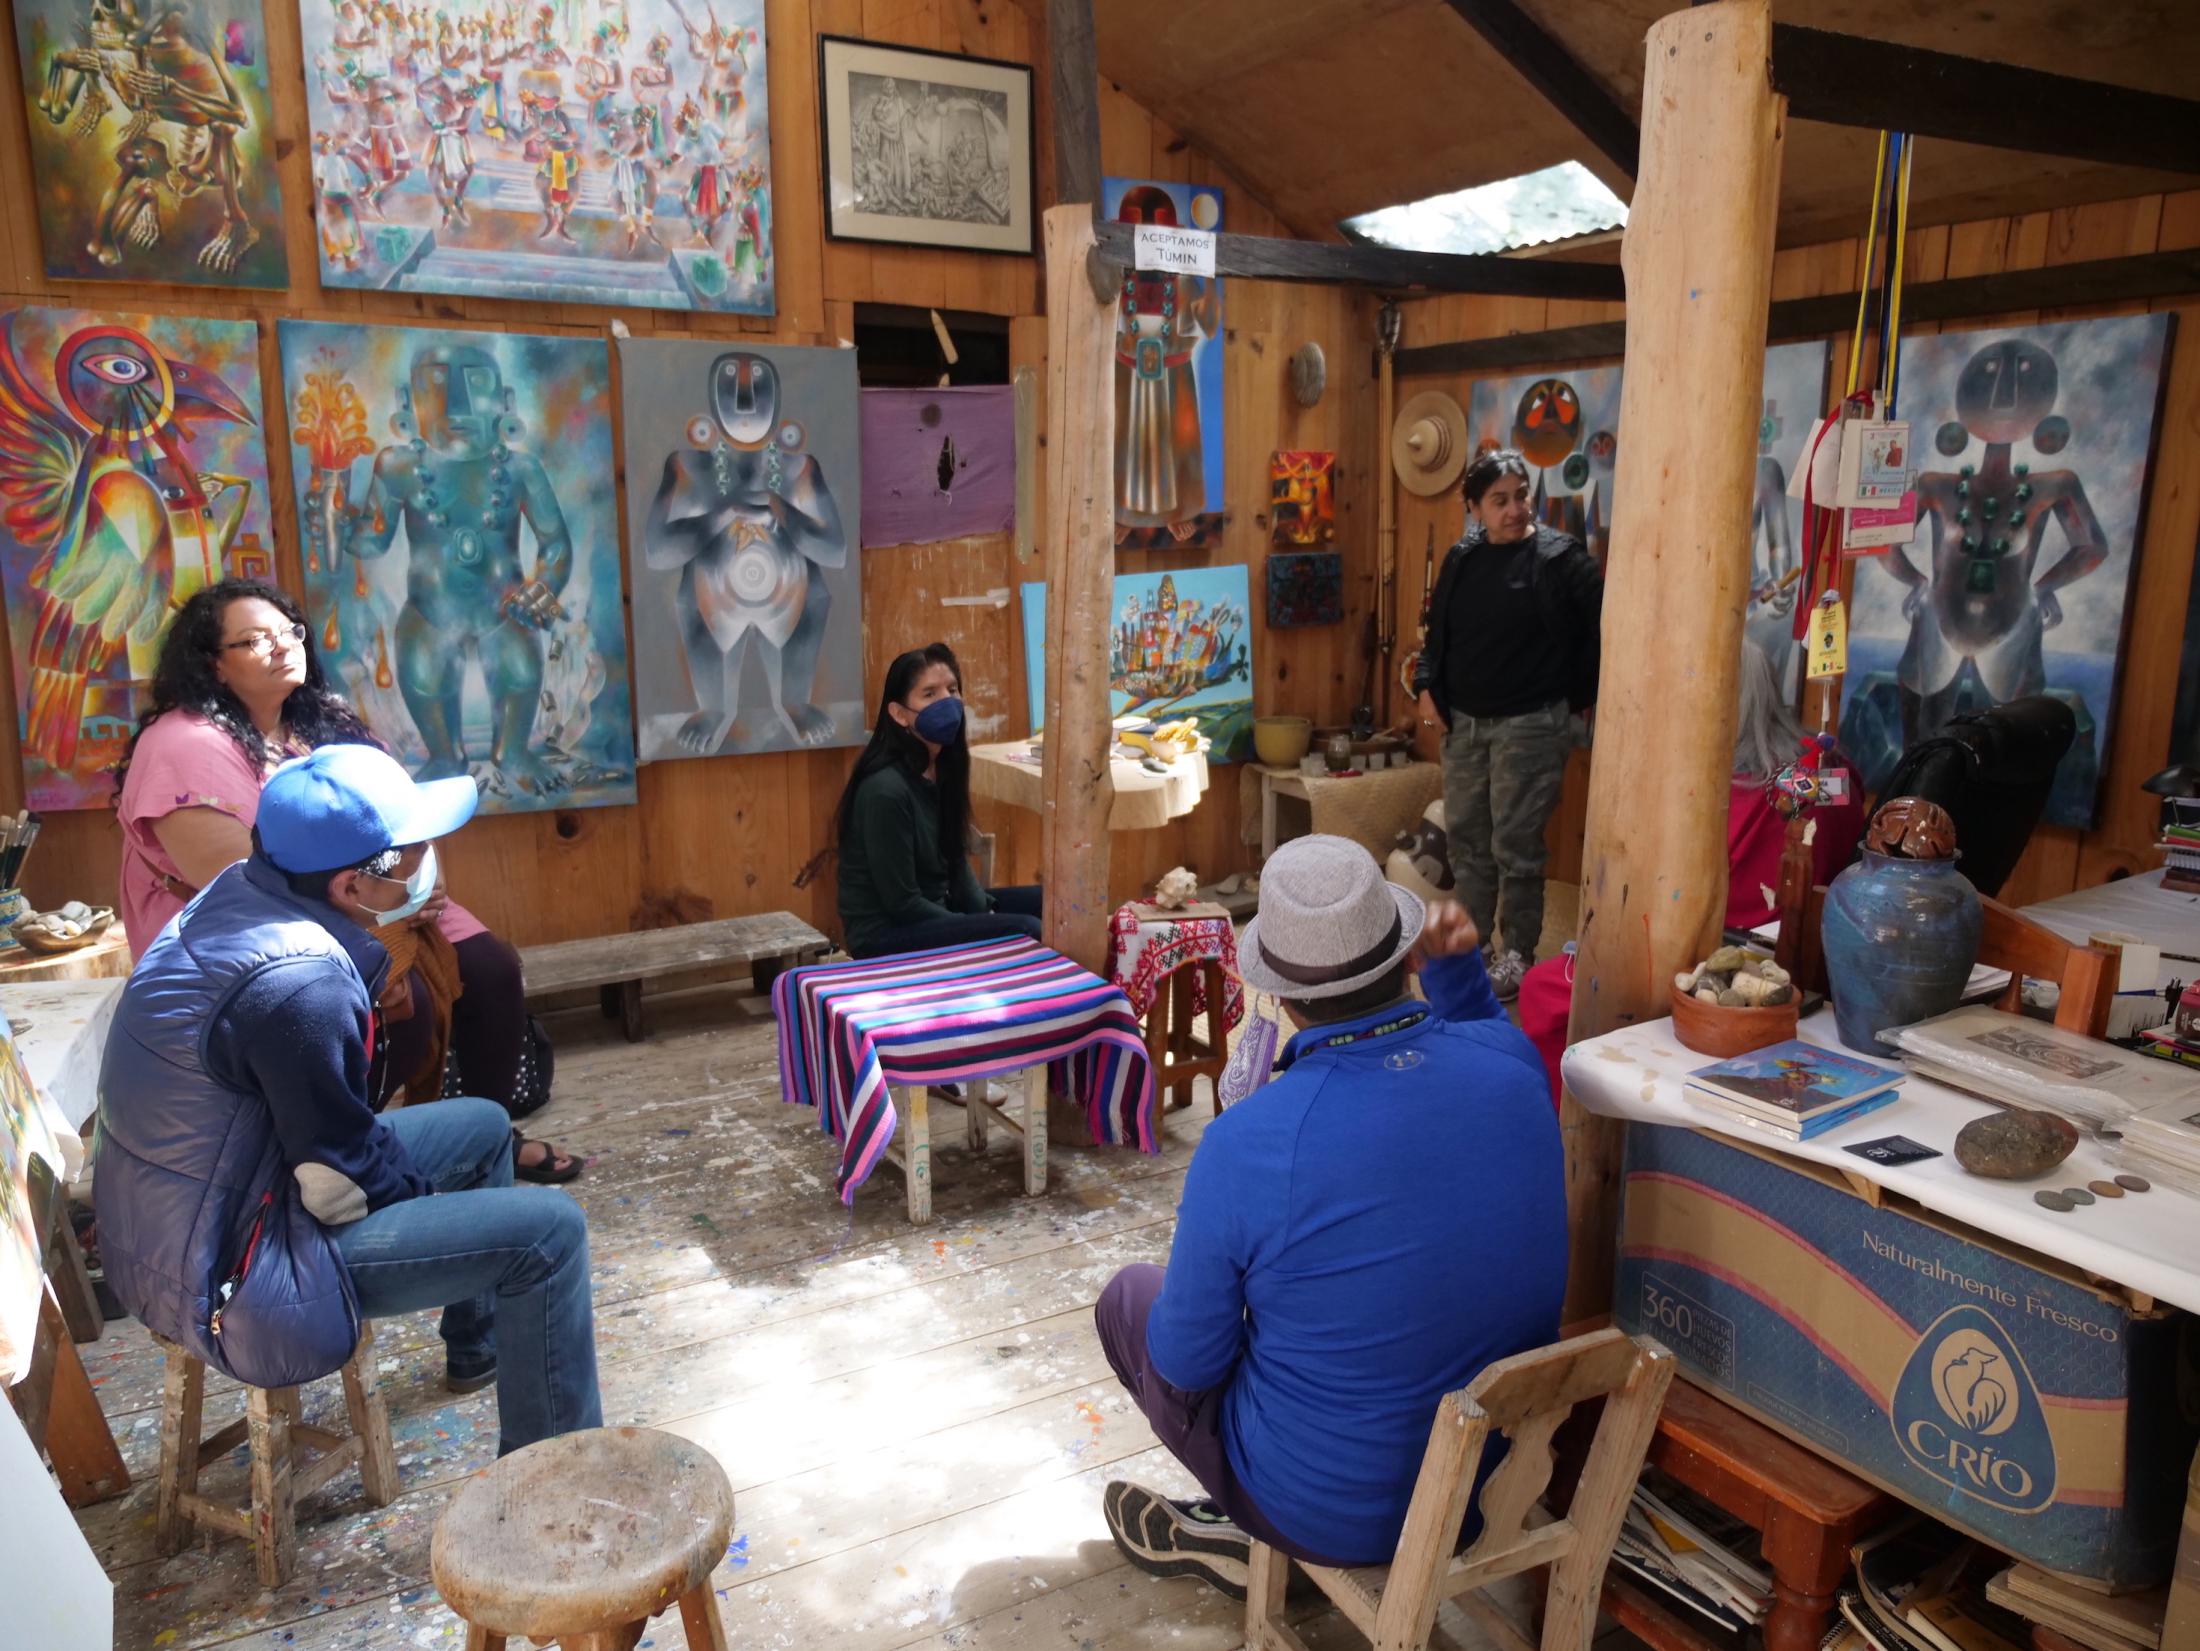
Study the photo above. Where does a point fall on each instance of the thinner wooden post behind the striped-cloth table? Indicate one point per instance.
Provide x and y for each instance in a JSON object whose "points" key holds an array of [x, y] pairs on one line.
{"points": [[1081, 580]]}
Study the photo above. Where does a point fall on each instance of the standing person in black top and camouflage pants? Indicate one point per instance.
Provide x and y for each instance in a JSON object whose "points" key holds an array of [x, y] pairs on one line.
{"points": [[1512, 657]]}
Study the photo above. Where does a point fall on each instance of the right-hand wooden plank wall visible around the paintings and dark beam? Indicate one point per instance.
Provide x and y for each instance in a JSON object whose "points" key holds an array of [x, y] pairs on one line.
{"points": [[2060, 860]]}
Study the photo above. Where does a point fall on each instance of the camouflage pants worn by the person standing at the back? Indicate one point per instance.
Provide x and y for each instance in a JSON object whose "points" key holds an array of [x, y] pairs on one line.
{"points": [[1501, 780]]}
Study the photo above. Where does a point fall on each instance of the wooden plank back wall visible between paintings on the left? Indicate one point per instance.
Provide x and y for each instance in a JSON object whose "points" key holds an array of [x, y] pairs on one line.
{"points": [[727, 835]]}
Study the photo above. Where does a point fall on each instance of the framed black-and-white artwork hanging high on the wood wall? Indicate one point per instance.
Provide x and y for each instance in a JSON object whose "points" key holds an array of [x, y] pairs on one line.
{"points": [[925, 149]]}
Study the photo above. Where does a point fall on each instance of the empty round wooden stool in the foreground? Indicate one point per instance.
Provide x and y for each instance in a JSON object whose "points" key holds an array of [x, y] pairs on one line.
{"points": [[584, 1538]]}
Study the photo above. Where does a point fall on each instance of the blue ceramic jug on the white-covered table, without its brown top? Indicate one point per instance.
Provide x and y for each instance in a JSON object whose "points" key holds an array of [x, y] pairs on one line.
{"points": [[1900, 943]]}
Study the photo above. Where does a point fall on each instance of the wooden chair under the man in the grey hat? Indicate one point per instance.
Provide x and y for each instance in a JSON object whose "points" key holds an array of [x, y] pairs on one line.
{"points": [[1526, 1399]]}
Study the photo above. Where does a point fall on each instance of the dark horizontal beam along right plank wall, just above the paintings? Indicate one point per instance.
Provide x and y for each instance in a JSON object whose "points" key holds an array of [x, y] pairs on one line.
{"points": [[2104, 281]]}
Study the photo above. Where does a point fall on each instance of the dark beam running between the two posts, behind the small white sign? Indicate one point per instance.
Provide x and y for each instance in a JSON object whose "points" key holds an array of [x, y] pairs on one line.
{"points": [[1273, 259]]}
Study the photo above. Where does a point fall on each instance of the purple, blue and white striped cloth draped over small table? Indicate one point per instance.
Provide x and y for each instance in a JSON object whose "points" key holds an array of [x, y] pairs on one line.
{"points": [[852, 1029]]}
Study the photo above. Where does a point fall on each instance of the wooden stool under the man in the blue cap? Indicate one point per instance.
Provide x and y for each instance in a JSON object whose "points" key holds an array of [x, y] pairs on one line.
{"points": [[280, 1469]]}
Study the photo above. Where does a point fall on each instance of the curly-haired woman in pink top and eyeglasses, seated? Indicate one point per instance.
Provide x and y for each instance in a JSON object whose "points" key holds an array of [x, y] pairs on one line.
{"points": [[239, 692]]}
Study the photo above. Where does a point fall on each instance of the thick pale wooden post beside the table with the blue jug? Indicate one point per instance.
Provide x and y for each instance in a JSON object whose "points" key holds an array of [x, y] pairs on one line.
{"points": [[1699, 259]]}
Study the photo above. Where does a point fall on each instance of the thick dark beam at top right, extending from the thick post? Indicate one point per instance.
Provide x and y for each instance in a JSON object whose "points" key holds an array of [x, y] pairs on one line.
{"points": [[1847, 80]]}
